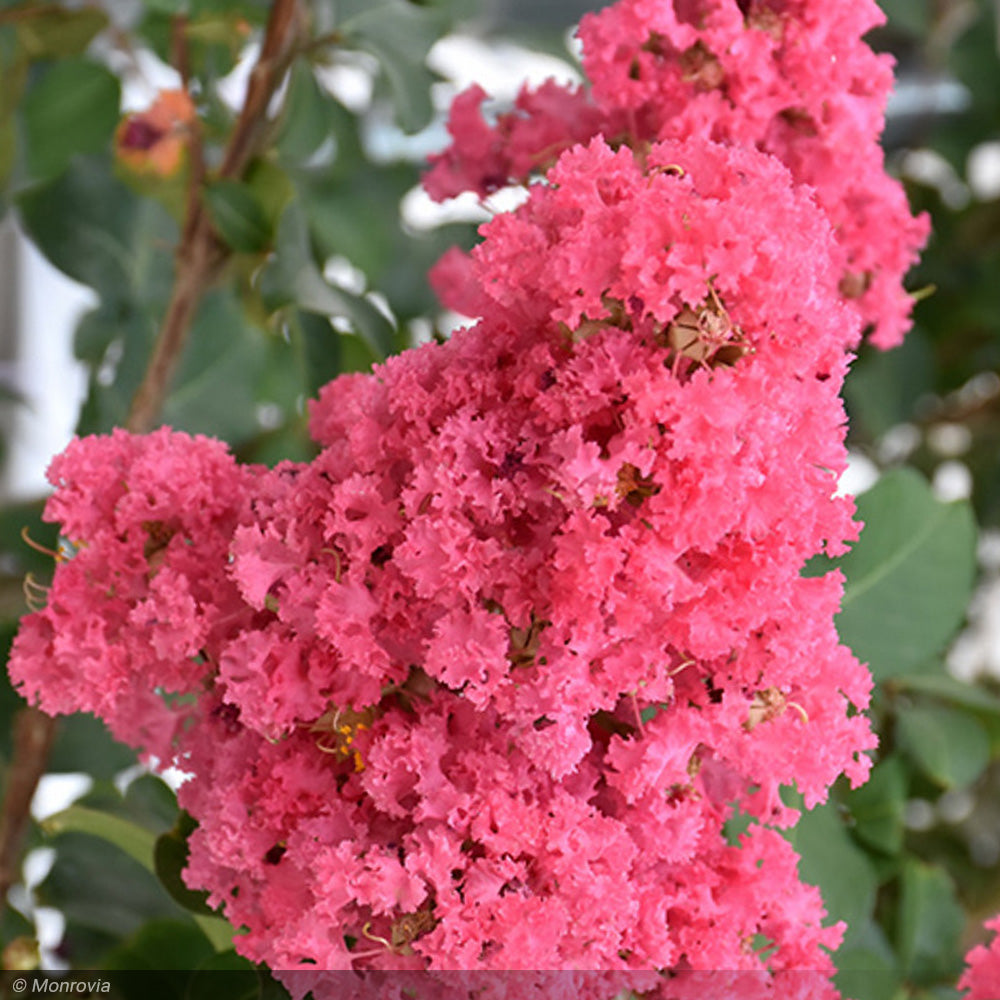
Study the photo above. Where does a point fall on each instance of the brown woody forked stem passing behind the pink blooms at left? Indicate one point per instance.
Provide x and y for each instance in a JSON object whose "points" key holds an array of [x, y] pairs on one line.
{"points": [[198, 260]]}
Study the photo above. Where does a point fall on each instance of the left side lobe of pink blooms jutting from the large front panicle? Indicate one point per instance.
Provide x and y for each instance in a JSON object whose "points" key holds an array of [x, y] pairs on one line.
{"points": [[145, 596]]}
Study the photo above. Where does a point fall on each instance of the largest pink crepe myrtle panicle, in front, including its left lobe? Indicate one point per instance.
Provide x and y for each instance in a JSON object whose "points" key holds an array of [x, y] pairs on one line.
{"points": [[483, 686]]}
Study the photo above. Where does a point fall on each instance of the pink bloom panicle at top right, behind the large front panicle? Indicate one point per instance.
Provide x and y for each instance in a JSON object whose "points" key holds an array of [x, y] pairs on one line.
{"points": [[791, 77]]}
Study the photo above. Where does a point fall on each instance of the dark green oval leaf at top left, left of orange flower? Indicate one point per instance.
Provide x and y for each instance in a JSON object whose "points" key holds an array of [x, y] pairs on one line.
{"points": [[73, 109]]}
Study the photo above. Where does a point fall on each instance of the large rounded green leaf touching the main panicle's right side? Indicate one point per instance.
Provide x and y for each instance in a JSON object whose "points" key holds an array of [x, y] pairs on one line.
{"points": [[909, 577]]}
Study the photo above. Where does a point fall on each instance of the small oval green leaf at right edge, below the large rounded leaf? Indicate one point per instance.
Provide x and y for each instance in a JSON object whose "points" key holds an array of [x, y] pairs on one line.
{"points": [[948, 745]]}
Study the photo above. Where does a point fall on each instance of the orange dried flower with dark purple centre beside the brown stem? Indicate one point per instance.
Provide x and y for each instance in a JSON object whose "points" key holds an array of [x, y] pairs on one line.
{"points": [[153, 141]]}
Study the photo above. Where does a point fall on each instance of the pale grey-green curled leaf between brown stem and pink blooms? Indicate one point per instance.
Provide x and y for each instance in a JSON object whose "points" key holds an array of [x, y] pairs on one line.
{"points": [[293, 278]]}
